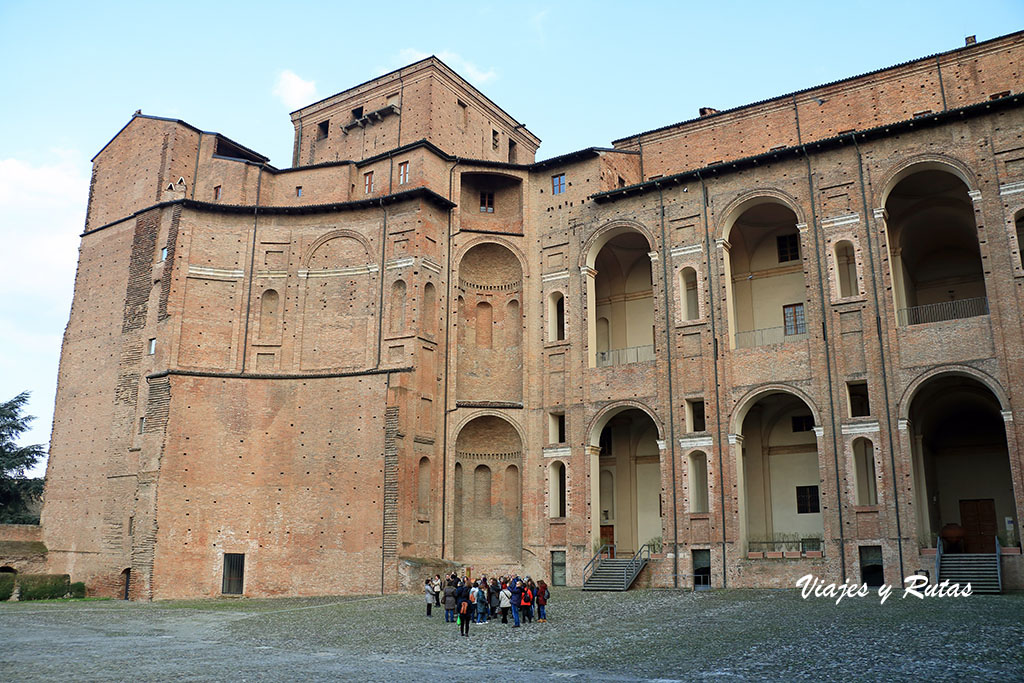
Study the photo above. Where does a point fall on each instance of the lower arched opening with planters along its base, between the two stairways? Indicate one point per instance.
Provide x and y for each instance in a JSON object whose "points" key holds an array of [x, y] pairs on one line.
{"points": [[779, 483]]}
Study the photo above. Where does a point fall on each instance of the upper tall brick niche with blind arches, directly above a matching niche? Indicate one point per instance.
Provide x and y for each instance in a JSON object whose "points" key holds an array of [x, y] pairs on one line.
{"points": [[490, 354]]}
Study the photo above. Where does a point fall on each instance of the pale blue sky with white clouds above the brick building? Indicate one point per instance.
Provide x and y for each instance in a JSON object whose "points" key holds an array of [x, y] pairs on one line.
{"points": [[577, 74]]}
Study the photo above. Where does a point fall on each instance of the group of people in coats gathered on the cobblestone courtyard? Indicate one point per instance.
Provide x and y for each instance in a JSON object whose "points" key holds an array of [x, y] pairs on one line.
{"points": [[480, 602]]}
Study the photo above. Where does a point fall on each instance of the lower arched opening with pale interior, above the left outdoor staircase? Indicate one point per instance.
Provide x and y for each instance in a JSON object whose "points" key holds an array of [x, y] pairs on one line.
{"points": [[629, 490]]}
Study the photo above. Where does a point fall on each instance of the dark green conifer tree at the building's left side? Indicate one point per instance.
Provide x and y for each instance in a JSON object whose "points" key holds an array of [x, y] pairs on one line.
{"points": [[17, 493]]}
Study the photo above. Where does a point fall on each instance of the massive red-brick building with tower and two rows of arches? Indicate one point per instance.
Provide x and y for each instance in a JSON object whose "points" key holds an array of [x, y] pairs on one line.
{"points": [[764, 343]]}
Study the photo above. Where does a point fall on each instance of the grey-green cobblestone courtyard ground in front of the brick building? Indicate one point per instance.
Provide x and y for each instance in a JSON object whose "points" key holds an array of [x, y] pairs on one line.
{"points": [[641, 635]]}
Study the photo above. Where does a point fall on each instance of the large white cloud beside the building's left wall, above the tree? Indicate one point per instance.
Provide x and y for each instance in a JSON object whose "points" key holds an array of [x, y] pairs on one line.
{"points": [[42, 214]]}
